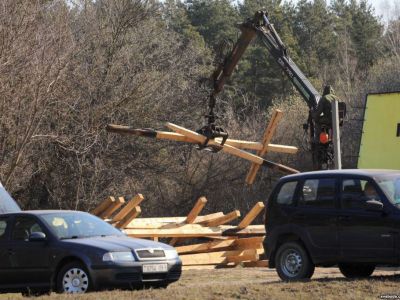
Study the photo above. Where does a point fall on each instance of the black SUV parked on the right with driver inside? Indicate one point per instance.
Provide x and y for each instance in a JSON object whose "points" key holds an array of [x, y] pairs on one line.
{"points": [[349, 218]]}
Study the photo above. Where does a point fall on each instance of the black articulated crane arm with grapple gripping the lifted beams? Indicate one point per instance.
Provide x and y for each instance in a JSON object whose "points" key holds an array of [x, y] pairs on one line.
{"points": [[261, 27]]}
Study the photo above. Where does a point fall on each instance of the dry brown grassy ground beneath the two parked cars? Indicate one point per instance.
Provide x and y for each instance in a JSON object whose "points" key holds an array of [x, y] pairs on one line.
{"points": [[258, 283]]}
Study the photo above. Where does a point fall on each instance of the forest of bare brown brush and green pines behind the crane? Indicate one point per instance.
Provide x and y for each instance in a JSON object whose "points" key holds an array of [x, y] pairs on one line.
{"points": [[68, 68]]}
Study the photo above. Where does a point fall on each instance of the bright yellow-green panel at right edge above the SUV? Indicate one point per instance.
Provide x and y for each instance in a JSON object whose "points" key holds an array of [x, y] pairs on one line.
{"points": [[380, 145]]}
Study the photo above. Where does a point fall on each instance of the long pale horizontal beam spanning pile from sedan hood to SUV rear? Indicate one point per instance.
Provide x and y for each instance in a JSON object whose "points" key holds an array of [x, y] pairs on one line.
{"points": [[196, 230]]}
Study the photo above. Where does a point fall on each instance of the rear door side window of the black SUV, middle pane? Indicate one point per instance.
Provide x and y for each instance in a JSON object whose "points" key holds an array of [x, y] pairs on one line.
{"points": [[318, 192]]}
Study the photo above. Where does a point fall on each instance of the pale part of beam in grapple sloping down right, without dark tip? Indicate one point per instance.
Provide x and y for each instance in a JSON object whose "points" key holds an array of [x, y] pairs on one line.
{"points": [[225, 148]]}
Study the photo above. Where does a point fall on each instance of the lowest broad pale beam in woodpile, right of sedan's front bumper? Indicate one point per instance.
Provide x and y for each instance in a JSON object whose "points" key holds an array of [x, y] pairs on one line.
{"points": [[212, 257]]}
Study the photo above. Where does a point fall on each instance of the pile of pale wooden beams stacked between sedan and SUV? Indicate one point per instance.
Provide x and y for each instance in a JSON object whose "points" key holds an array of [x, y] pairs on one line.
{"points": [[202, 241]]}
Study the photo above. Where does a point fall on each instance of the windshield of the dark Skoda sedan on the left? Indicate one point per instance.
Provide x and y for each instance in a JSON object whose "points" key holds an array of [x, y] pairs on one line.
{"points": [[78, 225]]}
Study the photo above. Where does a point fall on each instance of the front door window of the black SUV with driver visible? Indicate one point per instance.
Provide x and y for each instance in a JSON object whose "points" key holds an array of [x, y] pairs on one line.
{"points": [[355, 193]]}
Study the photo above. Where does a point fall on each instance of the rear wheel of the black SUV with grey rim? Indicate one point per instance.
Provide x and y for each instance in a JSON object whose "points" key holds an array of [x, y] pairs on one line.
{"points": [[293, 263]]}
